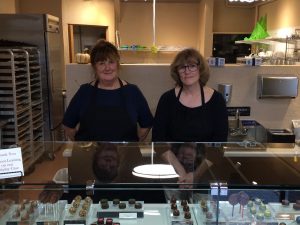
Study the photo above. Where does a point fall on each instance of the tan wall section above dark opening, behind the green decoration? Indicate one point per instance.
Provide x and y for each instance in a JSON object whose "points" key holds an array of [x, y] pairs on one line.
{"points": [[232, 19]]}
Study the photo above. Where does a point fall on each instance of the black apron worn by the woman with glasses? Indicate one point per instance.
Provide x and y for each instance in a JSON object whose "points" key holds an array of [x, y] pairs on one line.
{"points": [[188, 124]]}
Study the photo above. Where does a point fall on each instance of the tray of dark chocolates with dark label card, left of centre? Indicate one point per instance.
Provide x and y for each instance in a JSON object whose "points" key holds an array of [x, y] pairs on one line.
{"points": [[116, 208]]}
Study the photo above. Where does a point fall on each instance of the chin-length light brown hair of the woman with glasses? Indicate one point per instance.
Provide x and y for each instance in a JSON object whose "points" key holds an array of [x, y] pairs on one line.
{"points": [[190, 55]]}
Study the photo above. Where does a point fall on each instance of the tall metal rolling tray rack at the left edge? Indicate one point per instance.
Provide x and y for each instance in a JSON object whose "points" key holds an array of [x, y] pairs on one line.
{"points": [[19, 73]]}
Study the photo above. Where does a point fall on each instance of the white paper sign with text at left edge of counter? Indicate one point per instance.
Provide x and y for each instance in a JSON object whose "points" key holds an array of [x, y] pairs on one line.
{"points": [[11, 163]]}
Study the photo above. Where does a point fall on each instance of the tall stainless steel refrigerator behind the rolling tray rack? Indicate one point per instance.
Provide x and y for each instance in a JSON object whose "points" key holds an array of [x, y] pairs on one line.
{"points": [[43, 31]]}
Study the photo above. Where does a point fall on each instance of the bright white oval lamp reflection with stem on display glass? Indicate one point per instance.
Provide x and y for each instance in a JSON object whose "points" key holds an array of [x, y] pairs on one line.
{"points": [[155, 171]]}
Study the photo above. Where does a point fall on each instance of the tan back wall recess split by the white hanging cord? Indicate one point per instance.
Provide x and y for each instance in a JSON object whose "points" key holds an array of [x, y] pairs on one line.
{"points": [[176, 24]]}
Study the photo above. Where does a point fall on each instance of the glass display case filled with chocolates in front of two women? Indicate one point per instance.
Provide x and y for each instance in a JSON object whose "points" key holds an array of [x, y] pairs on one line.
{"points": [[204, 183]]}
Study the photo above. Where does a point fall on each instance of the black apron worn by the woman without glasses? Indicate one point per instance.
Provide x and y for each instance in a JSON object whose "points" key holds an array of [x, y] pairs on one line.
{"points": [[107, 123]]}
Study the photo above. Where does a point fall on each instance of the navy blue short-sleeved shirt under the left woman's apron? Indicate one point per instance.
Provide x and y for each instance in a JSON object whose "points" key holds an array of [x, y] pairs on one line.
{"points": [[135, 104]]}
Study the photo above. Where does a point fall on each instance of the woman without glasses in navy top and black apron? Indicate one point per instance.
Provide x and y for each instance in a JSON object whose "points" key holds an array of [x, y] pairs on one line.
{"points": [[107, 109]]}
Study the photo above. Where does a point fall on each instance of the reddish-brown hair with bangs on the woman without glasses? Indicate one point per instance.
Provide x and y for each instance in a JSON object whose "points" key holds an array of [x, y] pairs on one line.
{"points": [[104, 50]]}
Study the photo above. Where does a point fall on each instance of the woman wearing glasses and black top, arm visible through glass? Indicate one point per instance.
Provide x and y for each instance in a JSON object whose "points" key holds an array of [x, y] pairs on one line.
{"points": [[190, 112]]}
